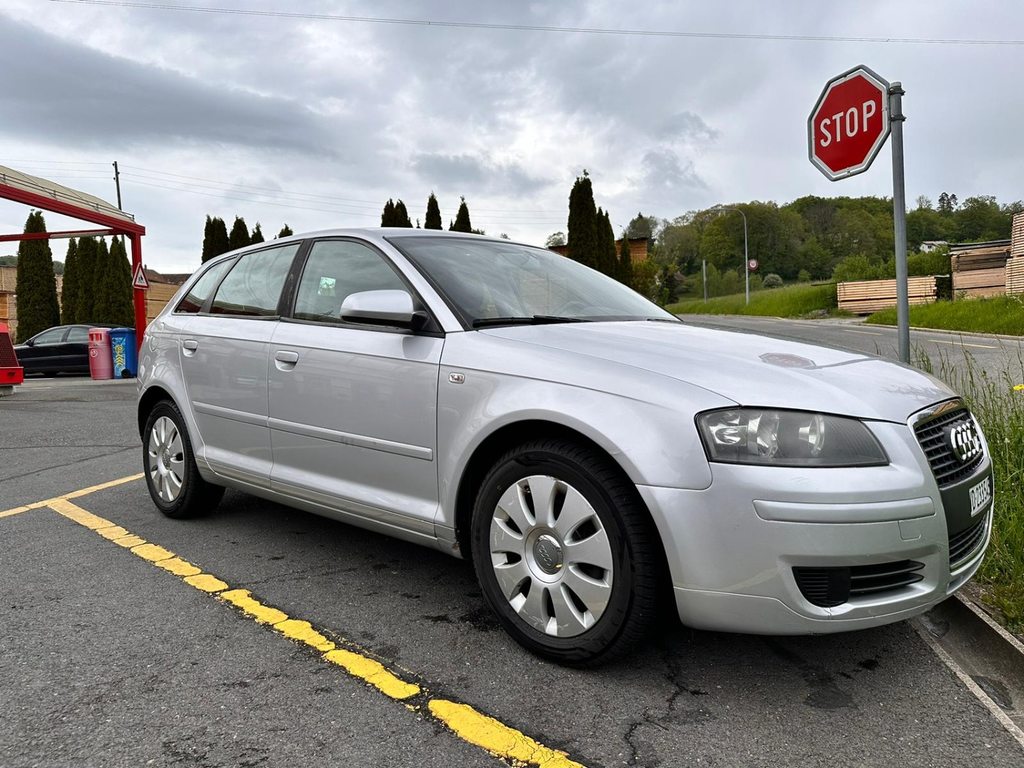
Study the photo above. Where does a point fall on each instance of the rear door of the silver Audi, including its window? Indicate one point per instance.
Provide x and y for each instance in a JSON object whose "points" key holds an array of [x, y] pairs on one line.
{"points": [[225, 351]]}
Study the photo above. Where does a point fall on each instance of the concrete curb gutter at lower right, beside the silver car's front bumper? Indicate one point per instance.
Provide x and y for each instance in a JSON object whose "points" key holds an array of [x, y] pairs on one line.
{"points": [[984, 656]]}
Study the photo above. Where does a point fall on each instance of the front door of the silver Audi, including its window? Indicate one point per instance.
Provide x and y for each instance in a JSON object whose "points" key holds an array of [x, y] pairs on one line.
{"points": [[354, 407]]}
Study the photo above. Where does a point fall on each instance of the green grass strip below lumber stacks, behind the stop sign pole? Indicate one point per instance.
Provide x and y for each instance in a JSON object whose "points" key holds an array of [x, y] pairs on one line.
{"points": [[1001, 315]]}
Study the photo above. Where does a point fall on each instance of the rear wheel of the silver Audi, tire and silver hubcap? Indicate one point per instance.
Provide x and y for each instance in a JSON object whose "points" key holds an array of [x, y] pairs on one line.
{"points": [[176, 485]]}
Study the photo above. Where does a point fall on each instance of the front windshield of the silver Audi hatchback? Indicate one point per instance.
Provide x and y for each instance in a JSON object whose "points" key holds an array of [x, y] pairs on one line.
{"points": [[491, 283]]}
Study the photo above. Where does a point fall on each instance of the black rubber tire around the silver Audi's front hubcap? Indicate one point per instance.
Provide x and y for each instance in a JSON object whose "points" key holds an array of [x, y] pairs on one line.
{"points": [[633, 605]]}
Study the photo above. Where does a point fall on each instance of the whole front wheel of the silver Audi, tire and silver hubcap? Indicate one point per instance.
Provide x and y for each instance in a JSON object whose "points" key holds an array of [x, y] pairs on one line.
{"points": [[565, 552]]}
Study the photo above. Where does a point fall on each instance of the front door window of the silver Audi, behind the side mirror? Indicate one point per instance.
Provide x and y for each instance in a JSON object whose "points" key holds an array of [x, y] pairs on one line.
{"points": [[335, 270]]}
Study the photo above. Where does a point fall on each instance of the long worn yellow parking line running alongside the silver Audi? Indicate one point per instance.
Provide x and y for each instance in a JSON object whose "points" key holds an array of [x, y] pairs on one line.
{"points": [[465, 722]]}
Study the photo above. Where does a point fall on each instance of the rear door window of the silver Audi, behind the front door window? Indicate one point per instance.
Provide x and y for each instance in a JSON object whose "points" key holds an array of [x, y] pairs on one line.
{"points": [[253, 287]]}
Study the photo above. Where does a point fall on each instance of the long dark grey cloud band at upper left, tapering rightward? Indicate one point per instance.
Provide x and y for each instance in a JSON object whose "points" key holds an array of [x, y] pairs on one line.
{"points": [[78, 97]]}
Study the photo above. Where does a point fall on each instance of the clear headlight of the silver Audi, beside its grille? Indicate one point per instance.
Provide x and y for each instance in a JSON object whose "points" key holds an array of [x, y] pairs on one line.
{"points": [[788, 439]]}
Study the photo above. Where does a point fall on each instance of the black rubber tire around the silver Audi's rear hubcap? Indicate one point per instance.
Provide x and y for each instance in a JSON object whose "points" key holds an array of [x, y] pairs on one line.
{"points": [[196, 496]]}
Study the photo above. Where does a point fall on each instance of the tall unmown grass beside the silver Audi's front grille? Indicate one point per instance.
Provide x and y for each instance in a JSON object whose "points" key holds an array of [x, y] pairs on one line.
{"points": [[999, 406]]}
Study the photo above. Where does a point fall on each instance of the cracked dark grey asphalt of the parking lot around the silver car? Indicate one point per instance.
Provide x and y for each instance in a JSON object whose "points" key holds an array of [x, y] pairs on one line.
{"points": [[106, 661]]}
